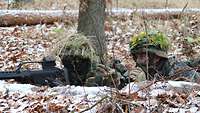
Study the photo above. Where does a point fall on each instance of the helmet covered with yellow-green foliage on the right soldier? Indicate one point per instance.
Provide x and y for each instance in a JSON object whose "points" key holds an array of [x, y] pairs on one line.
{"points": [[152, 41]]}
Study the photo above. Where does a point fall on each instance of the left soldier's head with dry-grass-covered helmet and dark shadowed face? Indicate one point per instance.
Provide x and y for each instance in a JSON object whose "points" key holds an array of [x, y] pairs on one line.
{"points": [[77, 55]]}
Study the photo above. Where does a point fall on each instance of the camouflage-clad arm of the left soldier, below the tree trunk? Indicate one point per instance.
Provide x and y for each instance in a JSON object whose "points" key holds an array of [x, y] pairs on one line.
{"points": [[114, 75]]}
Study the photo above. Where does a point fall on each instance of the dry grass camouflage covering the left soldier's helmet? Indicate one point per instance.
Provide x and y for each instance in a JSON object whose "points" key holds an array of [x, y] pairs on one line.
{"points": [[75, 45]]}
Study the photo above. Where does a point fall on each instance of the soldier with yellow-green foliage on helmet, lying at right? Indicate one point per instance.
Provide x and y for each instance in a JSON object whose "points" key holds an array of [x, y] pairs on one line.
{"points": [[149, 50]]}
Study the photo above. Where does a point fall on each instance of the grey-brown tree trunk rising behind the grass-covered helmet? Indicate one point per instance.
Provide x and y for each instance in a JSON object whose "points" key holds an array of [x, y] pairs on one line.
{"points": [[91, 24]]}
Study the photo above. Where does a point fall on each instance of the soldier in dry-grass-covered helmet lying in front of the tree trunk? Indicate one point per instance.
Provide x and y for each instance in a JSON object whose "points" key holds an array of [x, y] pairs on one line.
{"points": [[79, 58]]}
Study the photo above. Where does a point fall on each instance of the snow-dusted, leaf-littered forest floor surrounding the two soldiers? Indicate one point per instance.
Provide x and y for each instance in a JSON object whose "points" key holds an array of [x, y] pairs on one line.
{"points": [[31, 43]]}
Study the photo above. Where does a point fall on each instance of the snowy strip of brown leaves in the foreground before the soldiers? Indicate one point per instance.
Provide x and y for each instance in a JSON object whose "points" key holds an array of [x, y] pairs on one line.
{"points": [[26, 98]]}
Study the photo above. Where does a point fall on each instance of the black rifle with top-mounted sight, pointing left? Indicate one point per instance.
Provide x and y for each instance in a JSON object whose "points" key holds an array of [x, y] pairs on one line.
{"points": [[49, 74]]}
